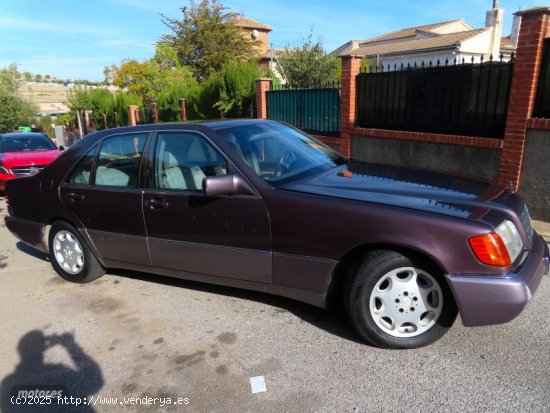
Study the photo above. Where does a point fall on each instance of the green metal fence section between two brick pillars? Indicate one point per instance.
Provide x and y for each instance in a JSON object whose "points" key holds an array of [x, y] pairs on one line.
{"points": [[315, 110]]}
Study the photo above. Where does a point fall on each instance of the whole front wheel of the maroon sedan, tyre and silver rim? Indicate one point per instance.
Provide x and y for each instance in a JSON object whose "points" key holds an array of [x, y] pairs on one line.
{"points": [[398, 301]]}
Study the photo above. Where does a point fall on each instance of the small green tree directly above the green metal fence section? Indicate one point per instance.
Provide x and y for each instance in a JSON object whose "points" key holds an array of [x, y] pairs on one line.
{"points": [[309, 65]]}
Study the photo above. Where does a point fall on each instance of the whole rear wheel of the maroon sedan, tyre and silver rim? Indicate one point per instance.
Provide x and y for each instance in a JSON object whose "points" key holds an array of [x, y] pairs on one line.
{"points": [[70, 255]]}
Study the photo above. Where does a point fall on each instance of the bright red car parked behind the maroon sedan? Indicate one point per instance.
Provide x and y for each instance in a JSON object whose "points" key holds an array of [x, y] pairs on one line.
{"points": [[23, 154]]}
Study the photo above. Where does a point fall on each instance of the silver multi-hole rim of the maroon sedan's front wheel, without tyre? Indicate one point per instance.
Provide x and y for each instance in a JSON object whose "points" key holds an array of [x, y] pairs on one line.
{"points": [[406, 302]]}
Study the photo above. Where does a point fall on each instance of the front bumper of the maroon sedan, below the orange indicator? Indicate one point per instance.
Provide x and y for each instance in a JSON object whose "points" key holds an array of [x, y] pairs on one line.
{"points": [[484, 300]]}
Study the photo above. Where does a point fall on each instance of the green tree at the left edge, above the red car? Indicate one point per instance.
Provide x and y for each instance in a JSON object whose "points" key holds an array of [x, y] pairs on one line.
{"points": [[14, 111]]}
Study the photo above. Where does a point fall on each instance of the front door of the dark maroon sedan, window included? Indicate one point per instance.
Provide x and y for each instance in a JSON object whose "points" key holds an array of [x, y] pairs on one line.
{"points": [[226, 236]]}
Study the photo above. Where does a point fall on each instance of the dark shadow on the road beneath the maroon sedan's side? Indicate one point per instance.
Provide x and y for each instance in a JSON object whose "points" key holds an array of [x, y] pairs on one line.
{"points": [[333, 320]]}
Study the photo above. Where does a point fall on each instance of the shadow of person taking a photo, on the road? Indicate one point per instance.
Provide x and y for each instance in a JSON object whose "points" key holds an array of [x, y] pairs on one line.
{"points": [[33, 374]]}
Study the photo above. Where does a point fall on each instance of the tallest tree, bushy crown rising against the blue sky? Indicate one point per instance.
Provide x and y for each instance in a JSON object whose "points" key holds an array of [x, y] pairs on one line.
{"points": [[206, 38]]}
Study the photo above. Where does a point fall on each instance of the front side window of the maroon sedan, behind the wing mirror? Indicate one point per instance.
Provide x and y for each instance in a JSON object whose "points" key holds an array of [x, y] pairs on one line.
{"points": [[184, 159]]}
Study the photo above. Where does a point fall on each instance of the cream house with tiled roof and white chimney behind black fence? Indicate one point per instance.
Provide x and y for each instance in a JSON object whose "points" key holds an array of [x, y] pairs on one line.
{"points": [[443, 41]]}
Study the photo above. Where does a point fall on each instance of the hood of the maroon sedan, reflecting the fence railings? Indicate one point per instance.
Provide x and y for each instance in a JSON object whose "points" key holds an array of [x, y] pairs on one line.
{"points": [[409, 188]]}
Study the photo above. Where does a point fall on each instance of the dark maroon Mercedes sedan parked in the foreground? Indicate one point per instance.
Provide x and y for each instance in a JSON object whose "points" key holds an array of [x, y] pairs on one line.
{"points": [[262, 206]]}
